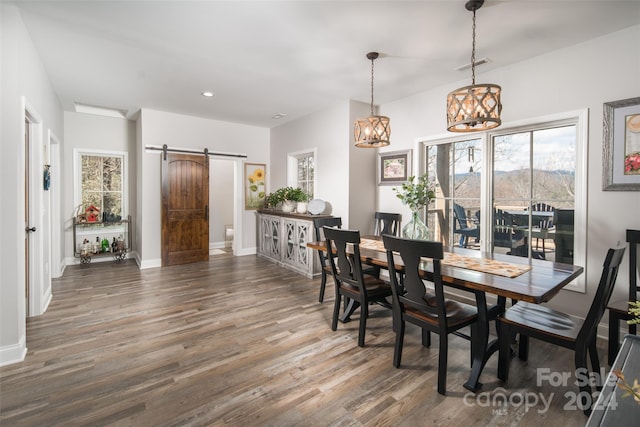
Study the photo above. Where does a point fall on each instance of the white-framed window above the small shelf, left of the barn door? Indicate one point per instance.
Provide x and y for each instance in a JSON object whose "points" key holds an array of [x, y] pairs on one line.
{"points": [[100, 181]]}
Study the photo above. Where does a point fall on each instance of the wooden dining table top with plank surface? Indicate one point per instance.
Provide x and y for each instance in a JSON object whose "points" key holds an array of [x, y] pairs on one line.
{"points": [[538, 284]]}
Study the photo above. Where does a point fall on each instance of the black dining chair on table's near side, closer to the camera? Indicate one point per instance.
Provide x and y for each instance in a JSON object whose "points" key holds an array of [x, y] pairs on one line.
{"points": [[430, 311]]}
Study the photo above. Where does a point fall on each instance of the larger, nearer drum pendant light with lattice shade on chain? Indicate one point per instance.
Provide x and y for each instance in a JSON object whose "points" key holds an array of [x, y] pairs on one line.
{"points": [[477, 107]]}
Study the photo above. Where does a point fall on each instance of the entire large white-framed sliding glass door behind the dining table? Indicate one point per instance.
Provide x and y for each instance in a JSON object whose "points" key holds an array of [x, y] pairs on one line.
{"points": [[532, 201]]}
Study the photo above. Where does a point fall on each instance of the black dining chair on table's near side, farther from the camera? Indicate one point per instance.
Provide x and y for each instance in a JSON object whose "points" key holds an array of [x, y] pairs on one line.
{"points": [[350, 281]]}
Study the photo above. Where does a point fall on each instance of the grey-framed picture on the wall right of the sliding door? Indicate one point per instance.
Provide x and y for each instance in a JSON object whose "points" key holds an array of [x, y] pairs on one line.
{"points": [[621, 145]]}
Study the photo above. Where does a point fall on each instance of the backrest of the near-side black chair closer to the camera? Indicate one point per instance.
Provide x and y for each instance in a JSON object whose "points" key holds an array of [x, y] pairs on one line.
{"points": [[412, 253]]}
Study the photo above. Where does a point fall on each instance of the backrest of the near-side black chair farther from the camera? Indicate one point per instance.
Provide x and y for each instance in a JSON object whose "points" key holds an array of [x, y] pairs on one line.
{"points": [[345, 267]]}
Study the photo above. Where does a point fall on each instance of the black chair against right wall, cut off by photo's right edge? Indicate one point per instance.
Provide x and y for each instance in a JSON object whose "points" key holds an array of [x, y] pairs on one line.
{"points": [[619, 309]]}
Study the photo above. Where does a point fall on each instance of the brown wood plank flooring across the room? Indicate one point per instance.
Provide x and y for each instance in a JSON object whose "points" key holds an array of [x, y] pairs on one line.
{"points": [[239, 341]]}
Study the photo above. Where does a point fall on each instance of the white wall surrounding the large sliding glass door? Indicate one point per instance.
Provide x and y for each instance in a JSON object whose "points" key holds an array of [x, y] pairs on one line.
{"points": [[579, 77]]}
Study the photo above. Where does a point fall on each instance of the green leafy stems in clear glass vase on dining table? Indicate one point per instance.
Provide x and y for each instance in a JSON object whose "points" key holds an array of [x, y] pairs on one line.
{"points": [[416, 194]]}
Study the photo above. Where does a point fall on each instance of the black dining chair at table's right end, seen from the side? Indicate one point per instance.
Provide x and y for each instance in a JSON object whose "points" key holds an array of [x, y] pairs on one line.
{"points": [[562, 329]]}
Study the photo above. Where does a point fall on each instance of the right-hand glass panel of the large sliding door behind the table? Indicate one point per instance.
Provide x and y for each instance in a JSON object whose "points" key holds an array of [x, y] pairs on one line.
{"points": [[533, 173]]}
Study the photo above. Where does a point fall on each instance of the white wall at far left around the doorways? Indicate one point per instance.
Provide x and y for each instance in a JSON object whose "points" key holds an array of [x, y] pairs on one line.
{"points": [[22, 77]]}
